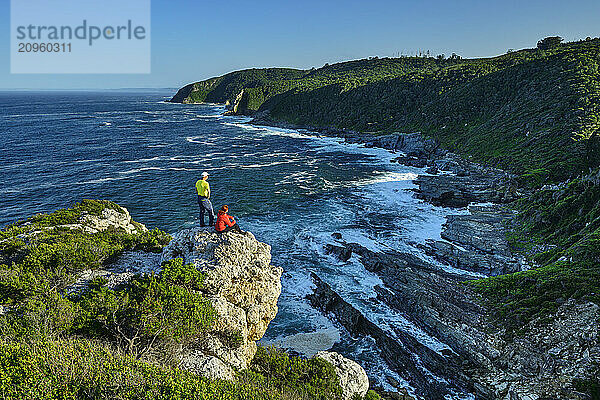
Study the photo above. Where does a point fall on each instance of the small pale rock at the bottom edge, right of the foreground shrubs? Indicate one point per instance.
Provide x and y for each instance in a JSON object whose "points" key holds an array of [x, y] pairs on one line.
{"points": [[353, 377]]}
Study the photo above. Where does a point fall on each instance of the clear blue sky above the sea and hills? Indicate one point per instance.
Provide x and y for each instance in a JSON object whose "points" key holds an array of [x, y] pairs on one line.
{"points": [[194, 40]]}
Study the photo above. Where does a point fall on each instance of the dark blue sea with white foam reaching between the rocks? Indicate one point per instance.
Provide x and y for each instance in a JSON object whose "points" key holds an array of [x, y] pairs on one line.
{"points": [[290, 189]]}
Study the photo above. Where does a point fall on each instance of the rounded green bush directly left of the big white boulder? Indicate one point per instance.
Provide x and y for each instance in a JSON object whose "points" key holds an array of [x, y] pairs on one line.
{"points": [[167, 307]]}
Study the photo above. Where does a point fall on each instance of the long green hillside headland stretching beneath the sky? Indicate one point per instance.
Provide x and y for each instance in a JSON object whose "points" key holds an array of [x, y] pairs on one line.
{"points": [[533, 112]]}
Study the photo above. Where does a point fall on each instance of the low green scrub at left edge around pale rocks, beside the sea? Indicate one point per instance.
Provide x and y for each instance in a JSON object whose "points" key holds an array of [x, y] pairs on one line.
{"points": [[39, 255]]}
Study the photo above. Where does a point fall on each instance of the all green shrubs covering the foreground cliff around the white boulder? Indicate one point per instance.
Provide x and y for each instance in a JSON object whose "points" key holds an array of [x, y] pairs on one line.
{"points": [[59, 340]]}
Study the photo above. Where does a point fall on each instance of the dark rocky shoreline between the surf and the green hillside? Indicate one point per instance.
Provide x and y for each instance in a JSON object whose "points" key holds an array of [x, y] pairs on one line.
{"points": [[481, 358]]}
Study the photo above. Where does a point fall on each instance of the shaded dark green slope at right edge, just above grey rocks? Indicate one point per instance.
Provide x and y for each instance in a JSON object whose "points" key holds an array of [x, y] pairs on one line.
{"points": [[558, 229]]}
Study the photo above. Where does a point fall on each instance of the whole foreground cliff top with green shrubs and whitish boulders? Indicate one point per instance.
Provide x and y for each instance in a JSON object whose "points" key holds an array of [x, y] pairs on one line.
{"points": [[141, 310]]}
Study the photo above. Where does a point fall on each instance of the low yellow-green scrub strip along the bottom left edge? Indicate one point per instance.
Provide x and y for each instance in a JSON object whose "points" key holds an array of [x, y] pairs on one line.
{"points": [[80, 369]]}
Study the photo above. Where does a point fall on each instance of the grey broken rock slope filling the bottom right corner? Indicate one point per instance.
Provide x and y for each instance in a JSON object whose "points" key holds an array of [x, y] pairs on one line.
{"points": [[544, 363]]}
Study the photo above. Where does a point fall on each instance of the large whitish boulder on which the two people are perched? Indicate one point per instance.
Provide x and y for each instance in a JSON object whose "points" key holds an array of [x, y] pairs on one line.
{"points": [[243, 287]]}
